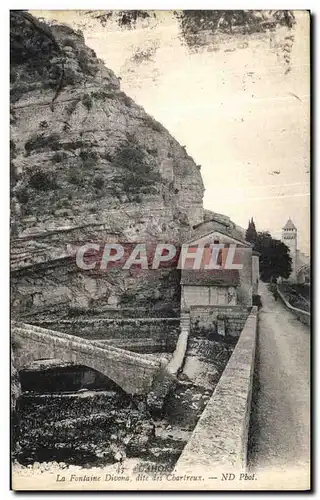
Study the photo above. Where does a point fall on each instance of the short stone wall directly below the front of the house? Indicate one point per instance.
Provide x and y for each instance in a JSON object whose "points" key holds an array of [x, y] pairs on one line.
{"points": [[204, 318]]}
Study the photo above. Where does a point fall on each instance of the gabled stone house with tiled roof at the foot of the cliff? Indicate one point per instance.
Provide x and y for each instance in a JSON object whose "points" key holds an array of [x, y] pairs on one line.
{"points": [[225, 286]]}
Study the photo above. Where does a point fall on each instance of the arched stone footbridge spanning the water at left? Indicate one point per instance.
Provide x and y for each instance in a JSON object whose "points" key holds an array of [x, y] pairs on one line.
{"points": [[131, 371]]}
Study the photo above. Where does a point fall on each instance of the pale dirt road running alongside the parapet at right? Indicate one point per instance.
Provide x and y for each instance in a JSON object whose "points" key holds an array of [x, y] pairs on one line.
{"points": [[281, 420]]}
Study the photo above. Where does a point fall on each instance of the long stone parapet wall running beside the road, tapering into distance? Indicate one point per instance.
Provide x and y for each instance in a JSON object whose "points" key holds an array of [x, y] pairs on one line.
{"points": [[219, 440]]}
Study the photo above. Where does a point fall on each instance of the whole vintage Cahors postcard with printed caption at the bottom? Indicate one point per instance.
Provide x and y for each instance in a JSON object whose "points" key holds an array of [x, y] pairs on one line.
{"points": [[160, 250]]}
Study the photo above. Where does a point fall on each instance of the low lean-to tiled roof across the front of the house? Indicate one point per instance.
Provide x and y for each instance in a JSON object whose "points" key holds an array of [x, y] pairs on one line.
{"points": [[212, 277]]}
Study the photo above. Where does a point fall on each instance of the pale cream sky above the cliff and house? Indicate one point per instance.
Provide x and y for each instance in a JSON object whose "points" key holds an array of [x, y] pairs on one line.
{"points": [[233, 108]]}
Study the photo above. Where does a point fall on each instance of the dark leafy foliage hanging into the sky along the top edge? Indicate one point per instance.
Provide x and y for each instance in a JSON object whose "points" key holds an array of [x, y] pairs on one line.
{"points": [[200, 28]]}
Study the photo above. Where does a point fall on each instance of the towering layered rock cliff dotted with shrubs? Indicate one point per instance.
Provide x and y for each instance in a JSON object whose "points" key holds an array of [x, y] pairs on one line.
{"points": [[87, 163]]}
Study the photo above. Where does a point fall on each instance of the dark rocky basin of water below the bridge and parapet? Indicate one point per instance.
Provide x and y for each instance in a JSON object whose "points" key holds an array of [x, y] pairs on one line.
{"points": [[91, 424]]}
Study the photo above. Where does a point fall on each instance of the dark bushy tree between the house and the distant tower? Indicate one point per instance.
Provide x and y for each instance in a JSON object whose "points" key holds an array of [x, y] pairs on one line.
{"points": [[274, 257]]}
